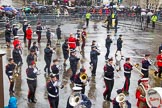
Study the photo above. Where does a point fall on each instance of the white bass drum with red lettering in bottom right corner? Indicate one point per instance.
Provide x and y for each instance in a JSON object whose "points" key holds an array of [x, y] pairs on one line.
{"points": [[154, 97]]}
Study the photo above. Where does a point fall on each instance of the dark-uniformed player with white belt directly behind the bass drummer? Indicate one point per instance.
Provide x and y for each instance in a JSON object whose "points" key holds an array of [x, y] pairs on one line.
{"points": [[145, 66]]}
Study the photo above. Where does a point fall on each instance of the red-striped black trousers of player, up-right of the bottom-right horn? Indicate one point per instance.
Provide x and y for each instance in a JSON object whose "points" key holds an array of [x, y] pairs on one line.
{"points": [[127, 81]]}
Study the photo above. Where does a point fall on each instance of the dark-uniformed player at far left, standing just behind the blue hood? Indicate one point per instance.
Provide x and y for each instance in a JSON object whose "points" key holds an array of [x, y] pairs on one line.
{"points": [[10, 67]]}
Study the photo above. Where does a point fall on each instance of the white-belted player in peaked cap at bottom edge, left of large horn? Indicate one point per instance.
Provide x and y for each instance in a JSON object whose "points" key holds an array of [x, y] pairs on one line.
{"points": [[53, 90]]}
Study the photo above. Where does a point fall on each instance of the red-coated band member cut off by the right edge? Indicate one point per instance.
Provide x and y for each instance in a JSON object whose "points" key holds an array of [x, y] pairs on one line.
{"points": [[159, 63]]}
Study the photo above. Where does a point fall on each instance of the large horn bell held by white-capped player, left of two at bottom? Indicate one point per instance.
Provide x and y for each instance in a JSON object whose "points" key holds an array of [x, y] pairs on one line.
{"points": [[75, 100]]}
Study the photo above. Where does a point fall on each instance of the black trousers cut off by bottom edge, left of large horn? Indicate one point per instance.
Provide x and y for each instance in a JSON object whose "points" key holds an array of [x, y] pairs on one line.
{"points": [[53, 102]]}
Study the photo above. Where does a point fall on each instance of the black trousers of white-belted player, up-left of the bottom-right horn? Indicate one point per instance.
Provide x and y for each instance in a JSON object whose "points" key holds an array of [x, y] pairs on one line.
{"points": [[109, 86]]}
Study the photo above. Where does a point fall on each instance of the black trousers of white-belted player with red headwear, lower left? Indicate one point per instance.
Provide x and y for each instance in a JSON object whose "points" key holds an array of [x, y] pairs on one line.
{"points": [[32, 84]]}
